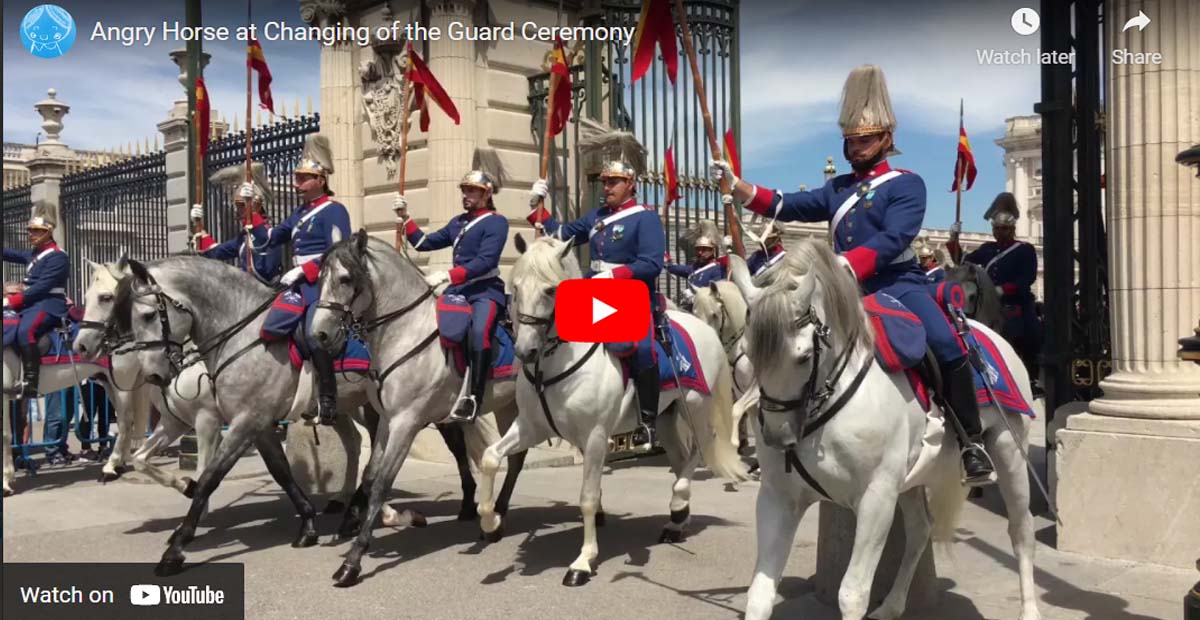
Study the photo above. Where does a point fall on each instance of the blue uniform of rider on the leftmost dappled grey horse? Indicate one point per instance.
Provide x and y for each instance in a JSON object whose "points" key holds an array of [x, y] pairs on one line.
{"points": [[313, 228]]}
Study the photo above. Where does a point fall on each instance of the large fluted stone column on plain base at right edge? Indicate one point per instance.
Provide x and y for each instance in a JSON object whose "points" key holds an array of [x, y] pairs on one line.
{"points": [[1127, 468]]}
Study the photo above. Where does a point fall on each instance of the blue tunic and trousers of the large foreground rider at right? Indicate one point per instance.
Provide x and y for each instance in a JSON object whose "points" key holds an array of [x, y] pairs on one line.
{"points": [[875, 216]]}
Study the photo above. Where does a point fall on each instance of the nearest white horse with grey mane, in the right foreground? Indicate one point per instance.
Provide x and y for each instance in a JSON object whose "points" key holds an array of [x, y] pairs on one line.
{"points": [[879, 453]]}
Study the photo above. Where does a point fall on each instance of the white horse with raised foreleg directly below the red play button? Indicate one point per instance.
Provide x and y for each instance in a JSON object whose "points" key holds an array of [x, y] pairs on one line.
{"points": [[587, 401]]}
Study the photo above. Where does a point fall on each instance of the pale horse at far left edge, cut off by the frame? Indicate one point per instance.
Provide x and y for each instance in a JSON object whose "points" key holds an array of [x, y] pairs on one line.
{"points": [[55, 377]]}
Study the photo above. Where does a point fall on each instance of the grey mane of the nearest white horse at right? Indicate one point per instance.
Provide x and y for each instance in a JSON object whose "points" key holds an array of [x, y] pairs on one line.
{"points": [[775, 311]]}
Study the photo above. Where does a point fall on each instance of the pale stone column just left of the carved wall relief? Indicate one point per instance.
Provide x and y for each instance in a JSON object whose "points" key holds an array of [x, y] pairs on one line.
{"points": [[341, 107]]}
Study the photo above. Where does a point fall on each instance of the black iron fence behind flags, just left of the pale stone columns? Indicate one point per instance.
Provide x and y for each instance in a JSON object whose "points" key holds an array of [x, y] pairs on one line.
{"points": [[278, 148]]}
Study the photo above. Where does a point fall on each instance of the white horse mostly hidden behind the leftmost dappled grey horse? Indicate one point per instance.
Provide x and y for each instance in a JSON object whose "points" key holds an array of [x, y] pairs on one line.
{"points": [[188, 402]]}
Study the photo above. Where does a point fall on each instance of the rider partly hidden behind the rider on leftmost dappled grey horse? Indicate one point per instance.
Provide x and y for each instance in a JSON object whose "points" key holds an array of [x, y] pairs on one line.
{"points": [[266, 266]]}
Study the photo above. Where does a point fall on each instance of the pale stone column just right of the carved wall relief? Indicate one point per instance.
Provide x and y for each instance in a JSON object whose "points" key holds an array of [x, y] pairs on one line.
{"points": [[451, 147]]}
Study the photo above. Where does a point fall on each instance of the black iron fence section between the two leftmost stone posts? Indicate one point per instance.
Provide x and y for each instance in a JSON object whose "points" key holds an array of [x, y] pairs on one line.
{"points": [[115, 209]]}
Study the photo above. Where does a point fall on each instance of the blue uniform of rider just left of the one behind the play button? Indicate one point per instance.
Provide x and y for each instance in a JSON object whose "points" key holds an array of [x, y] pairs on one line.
{"points": [[478, 239]]}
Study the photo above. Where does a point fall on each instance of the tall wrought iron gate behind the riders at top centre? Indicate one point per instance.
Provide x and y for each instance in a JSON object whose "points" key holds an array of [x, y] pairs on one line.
{"points": [[661, 115]]}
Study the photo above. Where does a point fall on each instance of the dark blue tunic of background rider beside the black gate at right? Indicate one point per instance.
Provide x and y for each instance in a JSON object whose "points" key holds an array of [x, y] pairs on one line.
{"points": [[1013, 268]]}
